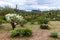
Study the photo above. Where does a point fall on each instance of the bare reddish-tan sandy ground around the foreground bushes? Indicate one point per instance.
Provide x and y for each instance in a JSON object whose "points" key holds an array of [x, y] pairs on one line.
{"points": [[38, 34]]}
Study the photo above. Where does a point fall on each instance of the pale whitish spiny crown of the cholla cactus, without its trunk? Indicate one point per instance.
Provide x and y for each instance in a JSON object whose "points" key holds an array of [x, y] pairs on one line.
{"points": [[14, 17]]}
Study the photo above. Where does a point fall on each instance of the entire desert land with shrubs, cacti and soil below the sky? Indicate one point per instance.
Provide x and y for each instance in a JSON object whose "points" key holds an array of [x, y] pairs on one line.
{"points": [[34, 25]]}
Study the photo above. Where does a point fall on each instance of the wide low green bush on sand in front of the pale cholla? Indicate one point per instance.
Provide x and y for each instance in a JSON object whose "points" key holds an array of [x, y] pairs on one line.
{"points": [[21, 32]]}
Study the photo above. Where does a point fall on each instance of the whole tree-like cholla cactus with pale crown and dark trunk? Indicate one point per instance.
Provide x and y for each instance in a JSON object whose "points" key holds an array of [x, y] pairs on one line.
{"points": [[13, 19]]}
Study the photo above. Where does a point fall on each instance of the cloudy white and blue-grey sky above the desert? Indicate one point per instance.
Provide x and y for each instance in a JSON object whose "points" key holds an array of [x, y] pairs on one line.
{"points": [[32, 4]]}
